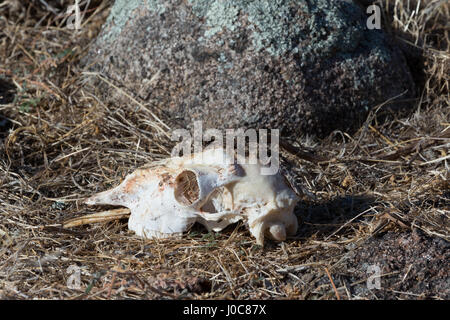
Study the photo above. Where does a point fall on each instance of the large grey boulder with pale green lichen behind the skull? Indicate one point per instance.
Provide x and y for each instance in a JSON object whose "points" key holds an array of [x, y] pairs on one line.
{"points": [[306, 66]]}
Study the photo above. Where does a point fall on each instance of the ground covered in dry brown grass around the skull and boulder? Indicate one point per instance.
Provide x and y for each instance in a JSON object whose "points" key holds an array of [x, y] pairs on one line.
{"points": [[374, 218]]}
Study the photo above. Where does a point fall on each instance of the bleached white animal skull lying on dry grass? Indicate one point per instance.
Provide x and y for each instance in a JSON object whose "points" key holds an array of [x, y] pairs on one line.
{"points": [[211, 188]]}
